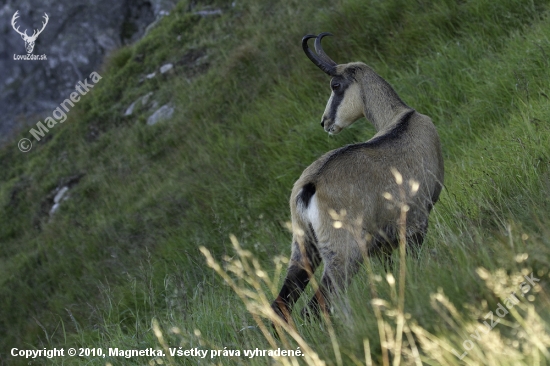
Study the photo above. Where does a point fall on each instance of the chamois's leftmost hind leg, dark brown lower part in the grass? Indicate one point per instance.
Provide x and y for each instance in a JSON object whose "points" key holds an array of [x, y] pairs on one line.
{"points": [[303, 262]]}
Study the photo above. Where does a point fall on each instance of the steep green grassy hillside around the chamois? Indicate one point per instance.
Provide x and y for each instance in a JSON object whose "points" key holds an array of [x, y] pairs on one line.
{"points": [[119, 262]]}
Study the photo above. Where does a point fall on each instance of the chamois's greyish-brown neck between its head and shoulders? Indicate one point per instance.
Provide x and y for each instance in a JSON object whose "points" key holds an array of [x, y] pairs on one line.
{"points": [[382, 105]]}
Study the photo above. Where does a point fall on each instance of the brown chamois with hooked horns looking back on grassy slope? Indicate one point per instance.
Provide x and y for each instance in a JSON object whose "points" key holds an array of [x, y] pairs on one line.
{"points": [[340, 205]]}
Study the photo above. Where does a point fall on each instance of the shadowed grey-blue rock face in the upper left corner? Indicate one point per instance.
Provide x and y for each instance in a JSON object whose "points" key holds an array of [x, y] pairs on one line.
{"points": [[77, 37]]}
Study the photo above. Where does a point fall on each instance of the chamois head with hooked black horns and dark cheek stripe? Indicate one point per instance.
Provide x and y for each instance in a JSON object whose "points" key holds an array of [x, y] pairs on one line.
{"points": [[345, 104]]}
